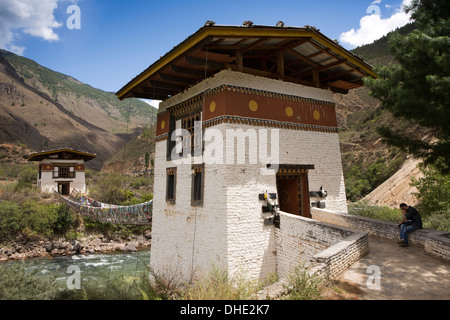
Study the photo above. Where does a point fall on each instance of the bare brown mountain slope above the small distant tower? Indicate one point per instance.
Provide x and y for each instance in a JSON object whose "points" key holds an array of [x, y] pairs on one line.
{"points": [[31, 117]]}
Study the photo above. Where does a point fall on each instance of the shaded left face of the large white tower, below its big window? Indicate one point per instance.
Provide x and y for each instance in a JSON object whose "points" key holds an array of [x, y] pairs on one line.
{"points": [[187, 240]]}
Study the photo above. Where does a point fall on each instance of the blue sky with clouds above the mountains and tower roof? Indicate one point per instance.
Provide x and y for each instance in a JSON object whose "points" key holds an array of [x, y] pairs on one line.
{"points": [[119, 39]]}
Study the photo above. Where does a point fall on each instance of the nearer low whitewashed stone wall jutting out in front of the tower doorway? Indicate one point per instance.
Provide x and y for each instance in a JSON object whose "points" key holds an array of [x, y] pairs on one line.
{"points": [[327, 248]]}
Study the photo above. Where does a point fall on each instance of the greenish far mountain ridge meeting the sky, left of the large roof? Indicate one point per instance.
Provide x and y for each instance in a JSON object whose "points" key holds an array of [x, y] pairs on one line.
{"points": [[95, 106]]}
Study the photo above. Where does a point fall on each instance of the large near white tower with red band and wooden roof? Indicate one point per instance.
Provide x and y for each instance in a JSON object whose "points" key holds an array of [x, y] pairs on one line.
{"points": [[246, 129]]}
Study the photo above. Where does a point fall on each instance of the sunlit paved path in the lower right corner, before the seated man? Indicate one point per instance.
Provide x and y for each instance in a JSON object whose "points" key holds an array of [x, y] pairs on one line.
{"points": [[406, 273]]}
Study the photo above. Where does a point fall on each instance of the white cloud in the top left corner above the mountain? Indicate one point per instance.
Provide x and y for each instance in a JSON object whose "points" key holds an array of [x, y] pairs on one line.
{"points": [[31, 17]]}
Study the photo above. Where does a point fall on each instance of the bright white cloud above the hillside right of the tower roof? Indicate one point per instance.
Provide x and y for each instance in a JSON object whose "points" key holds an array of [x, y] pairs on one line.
{"points": [[374, 26]]}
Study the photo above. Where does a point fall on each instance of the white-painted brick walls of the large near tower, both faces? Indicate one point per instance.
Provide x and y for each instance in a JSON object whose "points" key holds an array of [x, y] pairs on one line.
{"points": [[228, 230]]}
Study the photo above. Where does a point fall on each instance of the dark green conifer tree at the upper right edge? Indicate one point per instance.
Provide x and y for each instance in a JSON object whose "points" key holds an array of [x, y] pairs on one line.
{"points": [[417, 87]]}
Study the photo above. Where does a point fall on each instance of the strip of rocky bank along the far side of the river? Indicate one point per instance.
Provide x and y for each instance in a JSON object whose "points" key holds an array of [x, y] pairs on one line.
{"points": [[96, 243]]}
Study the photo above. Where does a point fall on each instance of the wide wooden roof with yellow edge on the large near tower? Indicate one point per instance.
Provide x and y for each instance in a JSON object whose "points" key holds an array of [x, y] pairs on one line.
{"points": [[295, 54]]}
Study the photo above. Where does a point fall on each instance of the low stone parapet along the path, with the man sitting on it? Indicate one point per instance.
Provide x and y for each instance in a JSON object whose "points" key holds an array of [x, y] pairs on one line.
{"points": [[436, 243]]}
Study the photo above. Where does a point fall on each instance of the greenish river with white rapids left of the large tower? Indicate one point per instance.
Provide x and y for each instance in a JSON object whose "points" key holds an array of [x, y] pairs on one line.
{"points": [[94, 270]]}
